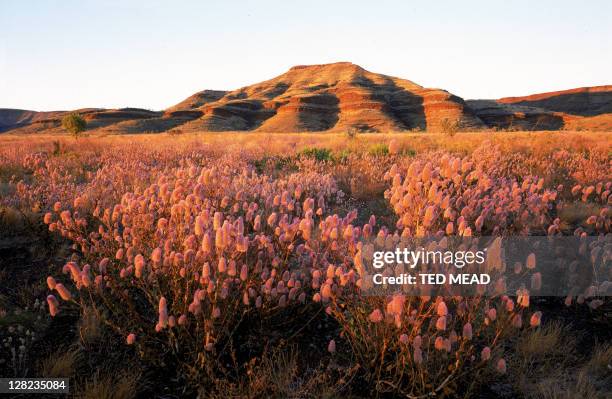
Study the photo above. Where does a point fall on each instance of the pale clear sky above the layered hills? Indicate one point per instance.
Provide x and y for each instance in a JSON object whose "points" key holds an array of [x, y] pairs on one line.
{"points": [[58, 55]]}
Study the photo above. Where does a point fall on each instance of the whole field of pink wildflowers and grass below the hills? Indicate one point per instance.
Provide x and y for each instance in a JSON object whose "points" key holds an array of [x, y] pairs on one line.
{"points": [[231, 265]]}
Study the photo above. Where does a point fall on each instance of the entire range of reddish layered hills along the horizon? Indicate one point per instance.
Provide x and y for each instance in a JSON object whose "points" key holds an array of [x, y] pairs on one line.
{"points": [[338, 97]]}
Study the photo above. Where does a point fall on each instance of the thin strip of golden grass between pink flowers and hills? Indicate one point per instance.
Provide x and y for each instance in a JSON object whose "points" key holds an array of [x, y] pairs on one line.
{"points": [[284, 143]]}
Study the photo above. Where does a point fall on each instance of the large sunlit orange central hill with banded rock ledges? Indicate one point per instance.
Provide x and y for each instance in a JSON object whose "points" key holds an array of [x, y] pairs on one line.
{"points": [[330, 97]]}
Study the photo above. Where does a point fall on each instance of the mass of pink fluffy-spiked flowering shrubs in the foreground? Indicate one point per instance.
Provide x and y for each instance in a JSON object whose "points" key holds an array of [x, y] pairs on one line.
{"points": [[178, 248]]}
